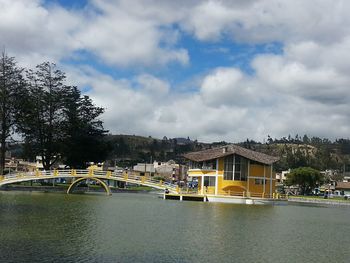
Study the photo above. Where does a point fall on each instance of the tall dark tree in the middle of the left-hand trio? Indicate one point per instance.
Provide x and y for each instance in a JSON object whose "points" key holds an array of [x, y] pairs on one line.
{"points": [[41, 121]]}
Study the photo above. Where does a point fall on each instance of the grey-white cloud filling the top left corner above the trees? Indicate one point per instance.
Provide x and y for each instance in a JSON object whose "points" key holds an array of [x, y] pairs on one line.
{"points": [[34, 33]]}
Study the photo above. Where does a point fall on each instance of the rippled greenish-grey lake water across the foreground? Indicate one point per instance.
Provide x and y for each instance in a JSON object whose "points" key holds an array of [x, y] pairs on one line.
{"points": [[39, 227]]}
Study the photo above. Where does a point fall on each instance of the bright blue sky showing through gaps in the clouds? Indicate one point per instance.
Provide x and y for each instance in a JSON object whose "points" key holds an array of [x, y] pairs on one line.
{"points": [[203, 57]]}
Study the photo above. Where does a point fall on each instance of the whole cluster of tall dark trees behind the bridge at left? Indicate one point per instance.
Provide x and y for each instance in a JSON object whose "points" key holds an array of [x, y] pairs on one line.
{"points": [[55, 121]]}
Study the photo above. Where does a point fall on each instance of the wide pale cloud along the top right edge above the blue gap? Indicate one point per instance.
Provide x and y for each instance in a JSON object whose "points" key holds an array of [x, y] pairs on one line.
{"points": [[270, 20]]}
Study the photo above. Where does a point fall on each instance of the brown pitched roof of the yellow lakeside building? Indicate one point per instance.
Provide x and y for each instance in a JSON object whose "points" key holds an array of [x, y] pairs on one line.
{"points": [[215, 153]]}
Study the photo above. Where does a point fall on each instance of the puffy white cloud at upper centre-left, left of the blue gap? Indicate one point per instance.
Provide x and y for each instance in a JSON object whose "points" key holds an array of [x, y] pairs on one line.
{"points": [[120, 38]]}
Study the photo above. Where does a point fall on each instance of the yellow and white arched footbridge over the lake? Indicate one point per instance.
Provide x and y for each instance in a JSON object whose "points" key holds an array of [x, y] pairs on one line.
{"points": [[81, 175]]}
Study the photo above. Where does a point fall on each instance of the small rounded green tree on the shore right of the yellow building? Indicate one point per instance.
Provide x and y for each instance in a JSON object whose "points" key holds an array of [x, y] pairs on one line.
{"points": [[306, 178]]}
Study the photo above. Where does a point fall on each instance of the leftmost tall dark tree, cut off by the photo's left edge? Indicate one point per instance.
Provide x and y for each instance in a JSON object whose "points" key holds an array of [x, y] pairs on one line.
{"points": [[11, 86]]}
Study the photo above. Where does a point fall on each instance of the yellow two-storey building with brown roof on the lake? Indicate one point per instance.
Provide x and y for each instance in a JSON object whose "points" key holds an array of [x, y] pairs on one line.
{"points": [[232, 171]]}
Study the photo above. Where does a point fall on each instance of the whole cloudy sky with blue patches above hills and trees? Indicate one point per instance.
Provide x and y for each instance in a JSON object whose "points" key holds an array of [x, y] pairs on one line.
{"points": [[208, 70]]}
